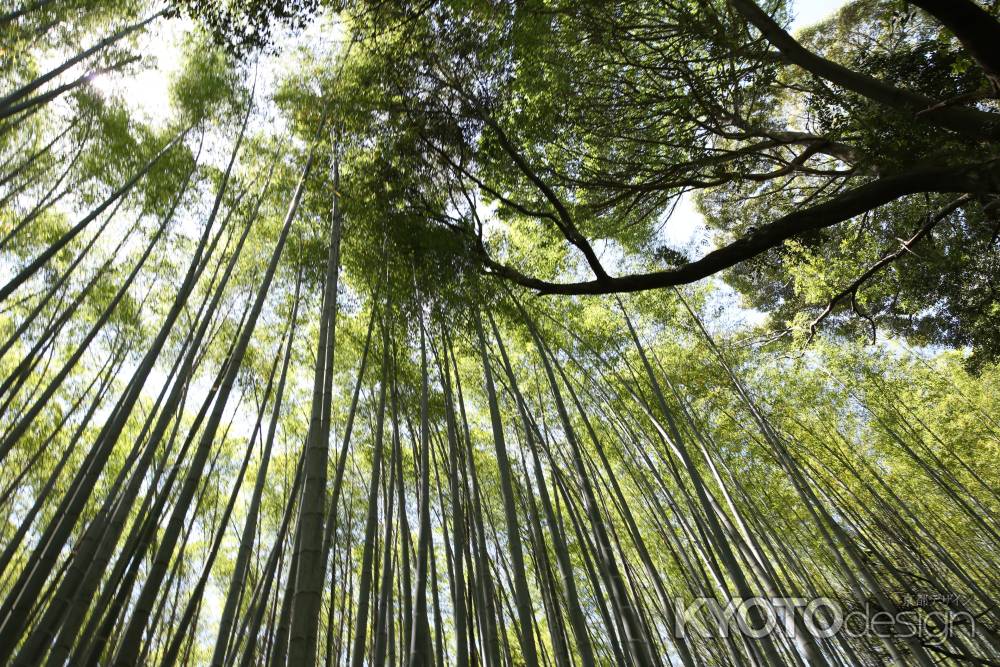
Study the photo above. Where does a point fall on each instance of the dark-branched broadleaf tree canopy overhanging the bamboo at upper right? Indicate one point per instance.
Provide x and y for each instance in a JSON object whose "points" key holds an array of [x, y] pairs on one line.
{"points": [[818, 160]]}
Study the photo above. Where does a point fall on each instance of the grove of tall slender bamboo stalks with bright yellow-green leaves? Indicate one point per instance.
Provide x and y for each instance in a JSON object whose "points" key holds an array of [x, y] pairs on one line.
{"points": [[260, 407]]}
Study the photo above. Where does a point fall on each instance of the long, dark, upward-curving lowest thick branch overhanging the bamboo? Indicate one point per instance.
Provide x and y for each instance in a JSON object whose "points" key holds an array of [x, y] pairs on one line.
{"points": [[976, 178]]}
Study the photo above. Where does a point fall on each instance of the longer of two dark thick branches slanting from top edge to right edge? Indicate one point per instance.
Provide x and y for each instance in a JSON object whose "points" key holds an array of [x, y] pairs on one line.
{"points": [[968, 122]]}
